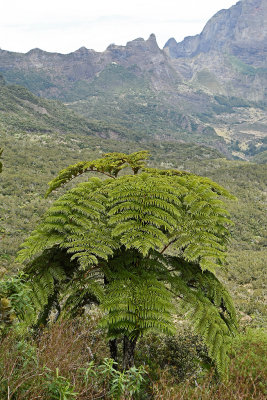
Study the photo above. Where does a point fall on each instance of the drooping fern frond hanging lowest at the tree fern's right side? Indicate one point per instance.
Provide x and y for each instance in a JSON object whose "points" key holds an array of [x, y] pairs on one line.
{"points": [[210, 307]]}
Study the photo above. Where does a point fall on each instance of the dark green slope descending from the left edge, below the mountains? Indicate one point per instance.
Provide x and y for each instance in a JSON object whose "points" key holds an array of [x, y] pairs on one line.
{"points": [[22, 111]]}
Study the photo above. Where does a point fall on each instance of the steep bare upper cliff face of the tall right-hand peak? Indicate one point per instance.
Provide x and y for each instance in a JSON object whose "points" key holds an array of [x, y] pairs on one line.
{"points": [[240, 31]]}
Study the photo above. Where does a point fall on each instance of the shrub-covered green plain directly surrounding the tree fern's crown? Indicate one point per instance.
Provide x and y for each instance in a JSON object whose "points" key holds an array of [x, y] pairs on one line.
{"points": [[30, 162]]}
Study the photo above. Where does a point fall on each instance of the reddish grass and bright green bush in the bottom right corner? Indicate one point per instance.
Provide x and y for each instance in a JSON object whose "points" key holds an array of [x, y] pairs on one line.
{"points": [[247, 376]]}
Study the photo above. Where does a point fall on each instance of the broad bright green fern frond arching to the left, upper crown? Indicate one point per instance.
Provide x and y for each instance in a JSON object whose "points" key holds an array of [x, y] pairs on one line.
{"points": [[76, 223]]}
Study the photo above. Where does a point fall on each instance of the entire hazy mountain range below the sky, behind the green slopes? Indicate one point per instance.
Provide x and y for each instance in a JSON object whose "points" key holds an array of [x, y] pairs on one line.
{"points": [[209, 89]]}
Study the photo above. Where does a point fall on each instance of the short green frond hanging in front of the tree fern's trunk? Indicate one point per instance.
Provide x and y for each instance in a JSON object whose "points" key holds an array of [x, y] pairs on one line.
{"points": [[137, 304]]}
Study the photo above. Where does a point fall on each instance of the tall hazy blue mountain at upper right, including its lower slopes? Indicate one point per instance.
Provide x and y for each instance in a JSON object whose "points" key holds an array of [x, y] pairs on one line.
{"points": [[231, 51]]}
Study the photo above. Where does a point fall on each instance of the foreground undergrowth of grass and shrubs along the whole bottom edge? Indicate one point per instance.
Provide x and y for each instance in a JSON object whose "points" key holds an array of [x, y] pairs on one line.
{"points": [[28, 367]]}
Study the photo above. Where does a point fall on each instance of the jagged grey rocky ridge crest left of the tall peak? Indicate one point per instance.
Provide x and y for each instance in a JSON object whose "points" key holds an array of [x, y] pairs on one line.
{"points": [[56, 73]]}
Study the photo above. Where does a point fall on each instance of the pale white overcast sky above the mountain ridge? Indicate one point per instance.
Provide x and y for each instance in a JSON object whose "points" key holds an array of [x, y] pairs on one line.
{"points": [[64, 26]]}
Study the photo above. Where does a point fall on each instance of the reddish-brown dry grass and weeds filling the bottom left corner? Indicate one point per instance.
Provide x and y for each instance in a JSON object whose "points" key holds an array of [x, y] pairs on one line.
{"points": [[27, 367]]}
